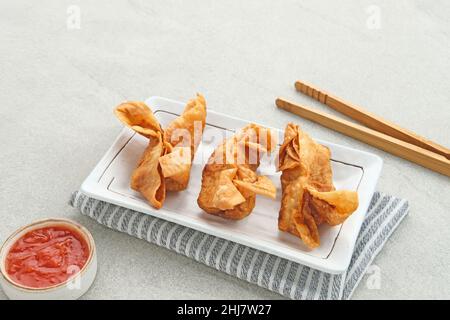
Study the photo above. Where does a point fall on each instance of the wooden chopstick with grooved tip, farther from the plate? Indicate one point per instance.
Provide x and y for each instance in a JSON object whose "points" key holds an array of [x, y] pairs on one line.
{"points": [[370, 120]]}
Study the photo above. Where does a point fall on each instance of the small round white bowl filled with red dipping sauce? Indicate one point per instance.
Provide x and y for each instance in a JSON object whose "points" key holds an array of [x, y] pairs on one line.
{"points": [[48, 259]]}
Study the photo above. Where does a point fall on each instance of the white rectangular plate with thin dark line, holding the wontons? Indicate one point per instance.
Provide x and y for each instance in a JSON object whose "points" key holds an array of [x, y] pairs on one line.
{"points": [[352, 170]]}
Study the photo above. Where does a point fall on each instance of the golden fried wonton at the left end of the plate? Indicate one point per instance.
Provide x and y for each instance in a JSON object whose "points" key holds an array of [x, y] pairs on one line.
{"points": [[167, 160]]}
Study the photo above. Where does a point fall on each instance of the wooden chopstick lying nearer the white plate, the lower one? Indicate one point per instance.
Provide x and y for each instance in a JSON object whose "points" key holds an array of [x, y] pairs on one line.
{"points": [[377, 139]]}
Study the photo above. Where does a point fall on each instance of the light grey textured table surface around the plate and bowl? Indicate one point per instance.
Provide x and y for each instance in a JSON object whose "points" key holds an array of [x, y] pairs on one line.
{"points": [[59, 84]]}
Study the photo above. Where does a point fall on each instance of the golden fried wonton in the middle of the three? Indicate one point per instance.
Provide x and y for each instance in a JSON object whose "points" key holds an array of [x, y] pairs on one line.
{"points": [[229, 180]]}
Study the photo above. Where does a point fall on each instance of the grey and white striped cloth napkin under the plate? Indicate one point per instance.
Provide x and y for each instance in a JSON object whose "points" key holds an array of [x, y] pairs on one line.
{"points": [[288, 278]]}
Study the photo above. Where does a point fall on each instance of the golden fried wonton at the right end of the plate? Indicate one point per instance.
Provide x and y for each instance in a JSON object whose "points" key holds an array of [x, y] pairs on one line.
{"points": [[308, 194]]}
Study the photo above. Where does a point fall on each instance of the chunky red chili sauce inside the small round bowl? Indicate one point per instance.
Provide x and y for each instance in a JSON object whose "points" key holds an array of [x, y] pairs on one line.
{"points": [[46, 257]]}
